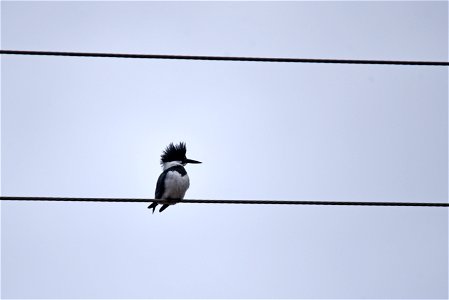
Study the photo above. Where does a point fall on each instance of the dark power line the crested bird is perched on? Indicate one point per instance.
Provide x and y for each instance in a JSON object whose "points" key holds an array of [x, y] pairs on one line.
{"points": [[264, 202]]}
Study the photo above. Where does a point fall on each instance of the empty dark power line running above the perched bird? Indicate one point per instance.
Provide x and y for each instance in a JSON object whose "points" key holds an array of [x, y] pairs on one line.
{"points": [[228, 58]]}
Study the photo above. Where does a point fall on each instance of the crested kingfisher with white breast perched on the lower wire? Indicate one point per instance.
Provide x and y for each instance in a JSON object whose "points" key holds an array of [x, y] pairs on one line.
{"points": [[173, 182]]}
